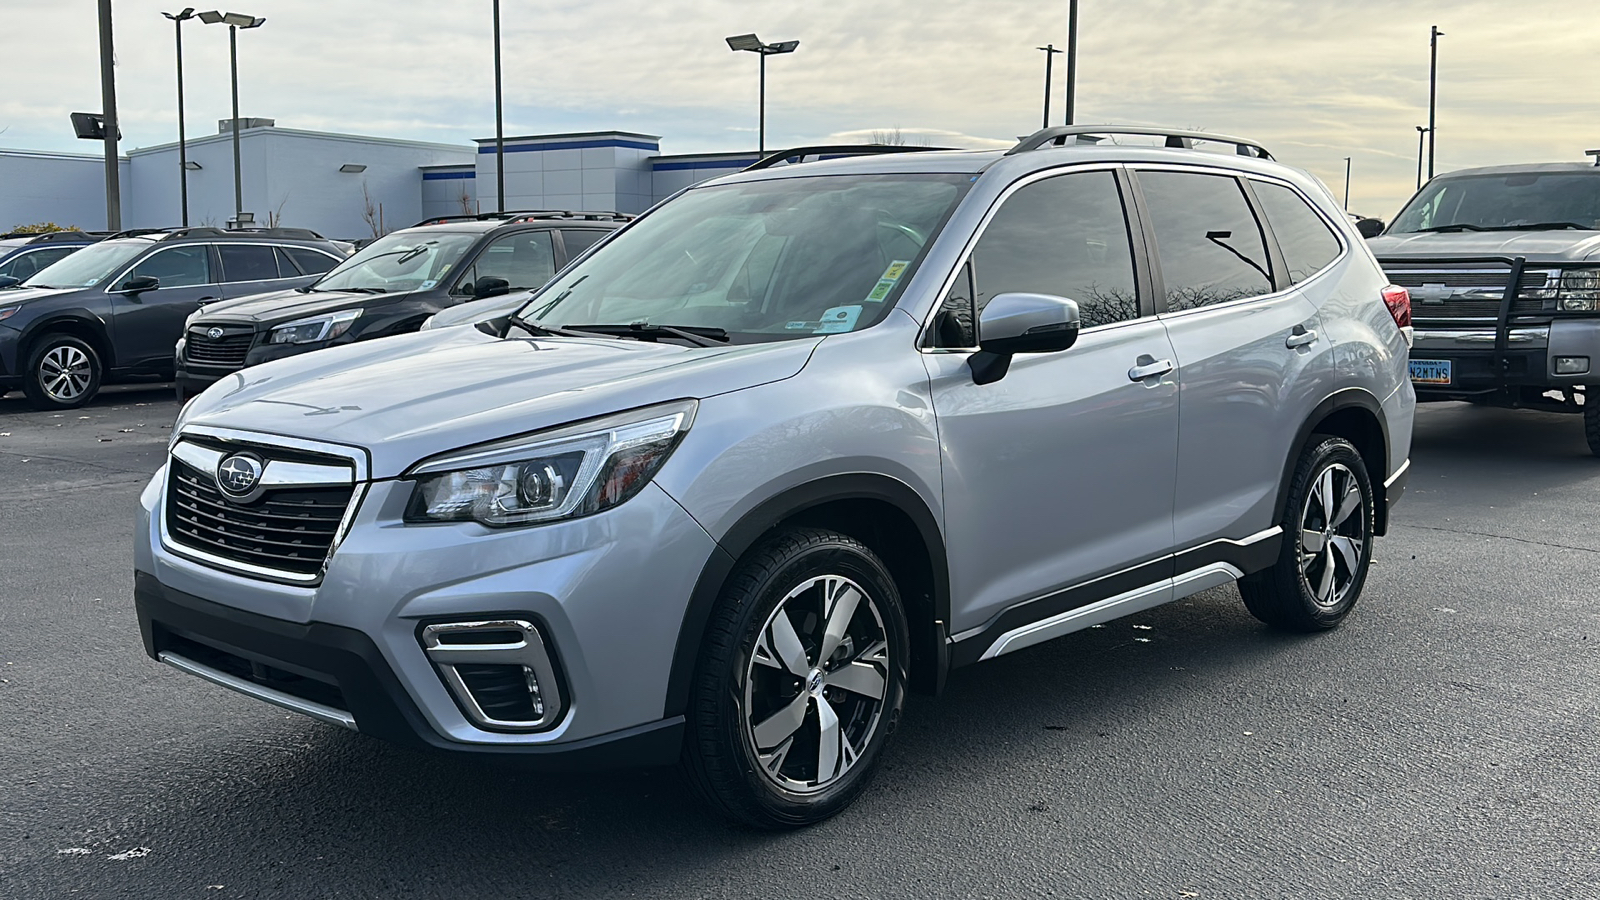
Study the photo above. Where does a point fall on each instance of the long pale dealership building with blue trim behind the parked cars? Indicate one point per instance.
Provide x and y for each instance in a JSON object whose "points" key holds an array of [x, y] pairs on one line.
{"points": [[350, 187]]}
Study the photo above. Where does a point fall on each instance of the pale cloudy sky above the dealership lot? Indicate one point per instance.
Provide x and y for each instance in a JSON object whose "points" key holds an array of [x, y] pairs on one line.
{"points": [[1314, 82]]}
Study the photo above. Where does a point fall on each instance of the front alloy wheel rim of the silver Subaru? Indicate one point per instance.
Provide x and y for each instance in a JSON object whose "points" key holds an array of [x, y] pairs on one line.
{"points": [[815, 685]]}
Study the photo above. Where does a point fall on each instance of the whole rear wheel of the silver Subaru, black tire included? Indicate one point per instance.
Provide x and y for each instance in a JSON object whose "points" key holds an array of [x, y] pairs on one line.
{"points": [[1314, 589]]}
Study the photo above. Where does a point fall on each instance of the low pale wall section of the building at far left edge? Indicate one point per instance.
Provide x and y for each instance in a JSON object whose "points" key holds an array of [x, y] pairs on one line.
{"points": [[68, 190]]}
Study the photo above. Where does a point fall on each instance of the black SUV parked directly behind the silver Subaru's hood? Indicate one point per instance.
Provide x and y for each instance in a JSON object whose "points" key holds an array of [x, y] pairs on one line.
{"points": [[390, 287]]}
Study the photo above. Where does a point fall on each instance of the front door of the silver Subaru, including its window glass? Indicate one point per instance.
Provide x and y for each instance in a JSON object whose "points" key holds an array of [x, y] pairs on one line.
{"points": [[1062, 472]]}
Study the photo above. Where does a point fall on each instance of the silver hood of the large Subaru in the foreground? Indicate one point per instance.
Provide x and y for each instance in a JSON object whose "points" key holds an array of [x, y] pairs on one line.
{"points": [[412, 396]]}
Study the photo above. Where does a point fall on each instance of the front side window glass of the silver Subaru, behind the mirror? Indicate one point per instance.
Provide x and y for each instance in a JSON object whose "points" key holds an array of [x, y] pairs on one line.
{"points": [[1065, 236]]}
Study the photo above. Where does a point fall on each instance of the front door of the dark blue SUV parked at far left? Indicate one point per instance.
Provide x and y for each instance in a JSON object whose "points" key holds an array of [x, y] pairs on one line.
{"points": [[146, 326]]}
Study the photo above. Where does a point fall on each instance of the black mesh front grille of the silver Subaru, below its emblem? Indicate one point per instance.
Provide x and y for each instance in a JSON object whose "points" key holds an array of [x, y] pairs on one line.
{"points": [[287, 529]]}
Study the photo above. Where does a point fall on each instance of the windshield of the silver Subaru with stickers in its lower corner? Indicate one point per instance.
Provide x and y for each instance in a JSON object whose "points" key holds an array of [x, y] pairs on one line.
{"points": [[762, 260]]}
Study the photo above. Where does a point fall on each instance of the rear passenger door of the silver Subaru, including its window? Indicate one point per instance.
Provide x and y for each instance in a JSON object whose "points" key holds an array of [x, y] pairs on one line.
{"points": [[1247, 356]]}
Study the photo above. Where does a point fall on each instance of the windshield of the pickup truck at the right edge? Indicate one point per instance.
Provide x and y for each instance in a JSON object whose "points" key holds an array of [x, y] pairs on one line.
{"points": [[1505, 203]]}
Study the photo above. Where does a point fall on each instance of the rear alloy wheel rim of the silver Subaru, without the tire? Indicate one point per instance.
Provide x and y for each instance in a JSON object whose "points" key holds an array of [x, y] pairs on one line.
{"points": [[1334, 536]]}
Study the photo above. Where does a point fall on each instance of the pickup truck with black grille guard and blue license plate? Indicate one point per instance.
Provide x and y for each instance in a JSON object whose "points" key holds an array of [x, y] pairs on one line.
{"points": [[1503, 265]]}
